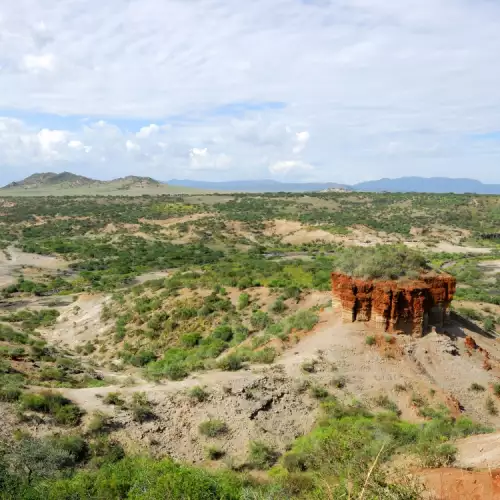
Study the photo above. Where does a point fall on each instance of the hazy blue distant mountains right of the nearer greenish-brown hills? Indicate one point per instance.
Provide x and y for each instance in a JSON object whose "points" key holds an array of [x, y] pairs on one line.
{"points": [[403, 185]]}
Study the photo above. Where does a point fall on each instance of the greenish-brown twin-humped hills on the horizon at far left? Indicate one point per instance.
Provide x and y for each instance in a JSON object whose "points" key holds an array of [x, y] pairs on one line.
{"points": [[67, 180]]}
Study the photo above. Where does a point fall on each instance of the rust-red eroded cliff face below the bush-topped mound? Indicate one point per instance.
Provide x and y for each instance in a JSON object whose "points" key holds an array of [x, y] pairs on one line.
{"points": [[395, 306]]}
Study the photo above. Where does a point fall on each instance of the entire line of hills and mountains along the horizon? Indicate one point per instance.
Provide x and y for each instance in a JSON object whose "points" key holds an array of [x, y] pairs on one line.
{"points": [[67, 181]]}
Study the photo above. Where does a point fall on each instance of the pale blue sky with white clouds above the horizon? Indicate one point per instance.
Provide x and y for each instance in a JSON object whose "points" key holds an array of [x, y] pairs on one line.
{"points": [[293, 90]]}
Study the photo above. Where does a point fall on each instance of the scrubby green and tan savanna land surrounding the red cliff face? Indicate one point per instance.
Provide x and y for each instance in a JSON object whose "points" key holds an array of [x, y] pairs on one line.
{"points": [[183, 344]]}
